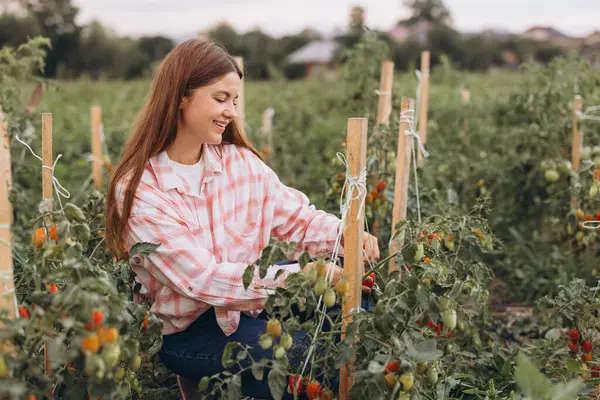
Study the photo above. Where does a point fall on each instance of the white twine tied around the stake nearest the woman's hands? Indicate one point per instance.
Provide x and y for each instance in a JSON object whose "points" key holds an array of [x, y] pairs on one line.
{"points": [[353, 183]]}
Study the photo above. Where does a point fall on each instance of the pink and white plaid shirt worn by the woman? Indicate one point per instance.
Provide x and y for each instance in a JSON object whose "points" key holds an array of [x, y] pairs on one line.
{"points": [[207, 241]]}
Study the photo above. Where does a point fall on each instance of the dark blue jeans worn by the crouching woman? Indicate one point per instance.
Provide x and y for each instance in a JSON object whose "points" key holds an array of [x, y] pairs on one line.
{"points": [[196, 352]]}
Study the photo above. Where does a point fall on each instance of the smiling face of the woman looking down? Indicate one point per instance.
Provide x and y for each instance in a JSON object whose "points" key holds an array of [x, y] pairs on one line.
{"points": [[209, 109]]}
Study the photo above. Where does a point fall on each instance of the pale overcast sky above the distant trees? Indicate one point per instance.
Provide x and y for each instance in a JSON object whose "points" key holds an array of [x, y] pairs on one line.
{"points": [[181, 18]]}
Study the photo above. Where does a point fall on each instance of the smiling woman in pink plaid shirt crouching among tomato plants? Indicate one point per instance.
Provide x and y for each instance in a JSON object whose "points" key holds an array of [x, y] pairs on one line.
{"points": [[189, 181]]}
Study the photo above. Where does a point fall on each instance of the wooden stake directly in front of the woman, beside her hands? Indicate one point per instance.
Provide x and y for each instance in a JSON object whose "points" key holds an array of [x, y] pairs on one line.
{"points": [[353, 238]]}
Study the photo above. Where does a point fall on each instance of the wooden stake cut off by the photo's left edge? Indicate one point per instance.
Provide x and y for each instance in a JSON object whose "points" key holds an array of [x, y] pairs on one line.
{"points": [[6, 264]]}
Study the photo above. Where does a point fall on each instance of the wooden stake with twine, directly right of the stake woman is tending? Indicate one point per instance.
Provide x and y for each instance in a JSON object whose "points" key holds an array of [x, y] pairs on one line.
{"points": [[403, 159]]}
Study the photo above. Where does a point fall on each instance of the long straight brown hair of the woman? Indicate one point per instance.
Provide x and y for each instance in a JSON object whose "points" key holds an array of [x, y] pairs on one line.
{"points": [[190, 65]]}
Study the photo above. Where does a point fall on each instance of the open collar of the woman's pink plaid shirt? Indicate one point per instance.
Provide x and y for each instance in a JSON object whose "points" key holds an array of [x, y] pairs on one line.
{"points": [[211, 162]]}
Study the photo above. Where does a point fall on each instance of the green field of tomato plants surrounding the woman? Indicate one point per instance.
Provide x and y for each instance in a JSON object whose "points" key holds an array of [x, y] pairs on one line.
{"points": [[498, 225]]}
